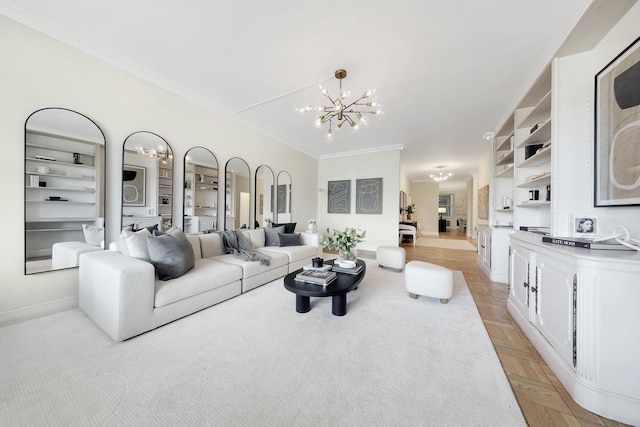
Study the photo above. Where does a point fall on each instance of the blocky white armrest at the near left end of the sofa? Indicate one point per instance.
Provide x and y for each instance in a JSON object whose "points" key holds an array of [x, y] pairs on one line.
{"points": [[117, 292]]}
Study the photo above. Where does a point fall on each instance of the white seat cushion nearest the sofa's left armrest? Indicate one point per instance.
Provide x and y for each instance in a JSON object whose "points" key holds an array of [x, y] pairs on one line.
{"points": [[207, 274]]}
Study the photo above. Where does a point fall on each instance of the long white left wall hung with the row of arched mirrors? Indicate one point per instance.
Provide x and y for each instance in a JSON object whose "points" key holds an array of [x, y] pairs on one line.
{"points": [[39, 72]]}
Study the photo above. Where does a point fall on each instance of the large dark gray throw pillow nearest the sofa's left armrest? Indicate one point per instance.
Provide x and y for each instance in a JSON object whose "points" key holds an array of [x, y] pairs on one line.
{"points": [[171, 254]]}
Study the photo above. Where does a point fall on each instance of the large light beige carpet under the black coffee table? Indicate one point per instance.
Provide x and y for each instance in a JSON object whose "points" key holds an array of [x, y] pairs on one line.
{"points": [[254, 361]]}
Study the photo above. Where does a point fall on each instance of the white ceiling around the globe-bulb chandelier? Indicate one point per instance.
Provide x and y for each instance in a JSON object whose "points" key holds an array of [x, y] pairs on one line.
{"points": [[446, 71]]}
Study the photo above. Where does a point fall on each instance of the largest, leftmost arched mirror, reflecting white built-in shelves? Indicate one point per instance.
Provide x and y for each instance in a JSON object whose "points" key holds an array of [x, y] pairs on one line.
{"points": [[64, 189]]}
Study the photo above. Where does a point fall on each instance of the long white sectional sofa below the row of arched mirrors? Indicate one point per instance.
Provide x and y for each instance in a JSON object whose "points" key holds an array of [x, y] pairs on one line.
{"points": [[124, 297]]}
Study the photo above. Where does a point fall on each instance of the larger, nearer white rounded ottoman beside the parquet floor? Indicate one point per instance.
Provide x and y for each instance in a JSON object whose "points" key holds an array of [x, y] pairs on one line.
{"points": [[429, 280]]}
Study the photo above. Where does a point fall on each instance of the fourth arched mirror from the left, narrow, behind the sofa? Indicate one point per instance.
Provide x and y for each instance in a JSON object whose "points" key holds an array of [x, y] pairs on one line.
{"points": [[237, 194]]}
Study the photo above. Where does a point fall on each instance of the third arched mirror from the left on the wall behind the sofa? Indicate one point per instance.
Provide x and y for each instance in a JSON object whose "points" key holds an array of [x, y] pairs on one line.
{"points": [[200, 197]]}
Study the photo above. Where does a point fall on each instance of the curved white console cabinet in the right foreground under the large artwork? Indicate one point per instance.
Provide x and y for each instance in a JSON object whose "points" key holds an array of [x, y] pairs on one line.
{"points": [[578, 307]]}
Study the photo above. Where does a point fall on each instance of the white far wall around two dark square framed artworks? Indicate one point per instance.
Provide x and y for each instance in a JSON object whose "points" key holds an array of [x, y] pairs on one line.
{"points": [[382, 230]]}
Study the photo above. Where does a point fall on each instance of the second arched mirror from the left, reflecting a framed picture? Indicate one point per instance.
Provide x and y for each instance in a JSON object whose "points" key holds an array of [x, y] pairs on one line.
{"points": [[147, 181]]}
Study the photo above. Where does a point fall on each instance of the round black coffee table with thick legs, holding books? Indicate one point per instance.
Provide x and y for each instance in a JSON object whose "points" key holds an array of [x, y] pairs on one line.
{"points": [[338, 289]]}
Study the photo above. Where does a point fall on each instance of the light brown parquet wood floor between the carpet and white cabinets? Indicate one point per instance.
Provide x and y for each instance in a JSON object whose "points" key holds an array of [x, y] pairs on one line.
{"points": [[543, 400]]}
